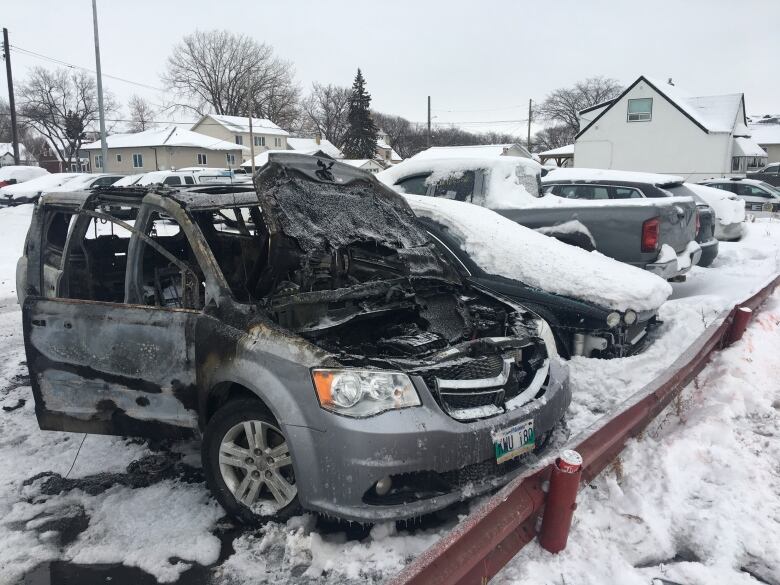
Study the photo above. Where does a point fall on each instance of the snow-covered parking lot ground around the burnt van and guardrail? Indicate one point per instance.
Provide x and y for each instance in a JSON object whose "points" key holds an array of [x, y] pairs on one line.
{"points": [[696, 500]]}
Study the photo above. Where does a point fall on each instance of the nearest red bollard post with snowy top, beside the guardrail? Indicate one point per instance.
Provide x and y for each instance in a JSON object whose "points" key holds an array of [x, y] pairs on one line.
{"points": [[561, 501]]}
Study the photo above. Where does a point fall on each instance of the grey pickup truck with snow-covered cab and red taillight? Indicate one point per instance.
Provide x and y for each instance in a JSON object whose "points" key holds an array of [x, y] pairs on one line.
{"points": [[658, 235]]}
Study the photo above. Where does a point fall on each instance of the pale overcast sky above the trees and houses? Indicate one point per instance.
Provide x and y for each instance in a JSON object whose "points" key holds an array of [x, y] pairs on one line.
{"points": [[479, 60]]}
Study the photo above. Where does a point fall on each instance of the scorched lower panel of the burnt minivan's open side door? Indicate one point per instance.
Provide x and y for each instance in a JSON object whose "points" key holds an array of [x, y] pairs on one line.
{"points": [[109, 367]]}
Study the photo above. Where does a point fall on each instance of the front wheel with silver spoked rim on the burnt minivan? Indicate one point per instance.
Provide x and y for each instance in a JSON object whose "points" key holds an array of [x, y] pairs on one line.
{"points": [[248, 464]]}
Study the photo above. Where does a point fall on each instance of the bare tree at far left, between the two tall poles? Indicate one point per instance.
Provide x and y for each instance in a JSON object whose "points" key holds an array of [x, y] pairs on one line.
{"points": [[61, 105]]}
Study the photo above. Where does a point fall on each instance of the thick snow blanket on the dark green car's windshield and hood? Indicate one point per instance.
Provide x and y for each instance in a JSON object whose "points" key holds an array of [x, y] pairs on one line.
{"points": [[502, 247]]}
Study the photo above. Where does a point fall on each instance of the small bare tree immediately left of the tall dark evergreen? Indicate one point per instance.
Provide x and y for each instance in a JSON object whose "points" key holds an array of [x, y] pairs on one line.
{"points": [[325, 112]]}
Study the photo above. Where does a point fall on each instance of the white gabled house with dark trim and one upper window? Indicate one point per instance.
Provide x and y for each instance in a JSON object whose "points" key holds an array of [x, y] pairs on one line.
{"points": [[657, 127]]}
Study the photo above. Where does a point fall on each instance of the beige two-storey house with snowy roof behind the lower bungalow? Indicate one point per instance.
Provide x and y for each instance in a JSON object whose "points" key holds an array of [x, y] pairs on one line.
{"points": [[235, 129]]}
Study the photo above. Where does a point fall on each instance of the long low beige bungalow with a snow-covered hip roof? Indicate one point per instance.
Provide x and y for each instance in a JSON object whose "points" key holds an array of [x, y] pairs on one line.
{"points": [[162, 149]]}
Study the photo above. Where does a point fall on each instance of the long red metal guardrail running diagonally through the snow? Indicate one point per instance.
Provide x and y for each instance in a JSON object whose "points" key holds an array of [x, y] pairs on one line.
{"points": [[479, 546]]}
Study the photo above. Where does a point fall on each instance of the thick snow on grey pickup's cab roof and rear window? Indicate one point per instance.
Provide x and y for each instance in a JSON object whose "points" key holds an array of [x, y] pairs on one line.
{"points": [[511, 177]]}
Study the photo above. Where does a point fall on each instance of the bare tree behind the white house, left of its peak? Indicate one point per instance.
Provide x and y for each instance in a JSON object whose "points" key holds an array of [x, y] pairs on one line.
{"points": [[563, 105]]}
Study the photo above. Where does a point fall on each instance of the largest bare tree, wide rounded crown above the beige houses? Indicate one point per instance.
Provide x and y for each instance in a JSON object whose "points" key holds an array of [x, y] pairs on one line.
{"points": [[217, 71]]}
